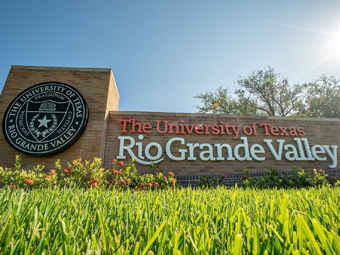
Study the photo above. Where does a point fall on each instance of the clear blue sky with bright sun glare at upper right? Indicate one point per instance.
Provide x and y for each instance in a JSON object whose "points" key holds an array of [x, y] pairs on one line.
{"points": [[169, 51]]}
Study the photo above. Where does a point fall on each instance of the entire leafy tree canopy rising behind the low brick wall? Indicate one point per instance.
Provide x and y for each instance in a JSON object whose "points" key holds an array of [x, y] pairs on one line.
{"points": [[264, 92]]}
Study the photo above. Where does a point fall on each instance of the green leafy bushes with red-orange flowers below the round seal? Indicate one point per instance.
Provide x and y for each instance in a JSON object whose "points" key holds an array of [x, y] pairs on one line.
{"points": [[86, 175]]}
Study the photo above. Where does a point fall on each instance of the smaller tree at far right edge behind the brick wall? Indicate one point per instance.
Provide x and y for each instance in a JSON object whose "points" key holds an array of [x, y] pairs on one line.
{"points": [[322, 98]]}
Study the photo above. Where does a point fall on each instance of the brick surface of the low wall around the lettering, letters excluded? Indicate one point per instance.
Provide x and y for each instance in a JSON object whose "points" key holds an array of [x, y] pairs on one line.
{"points": [[317, 131]]}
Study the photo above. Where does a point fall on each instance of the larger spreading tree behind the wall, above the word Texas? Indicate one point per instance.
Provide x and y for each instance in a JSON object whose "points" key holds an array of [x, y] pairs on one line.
{"points": [[263, 92]]}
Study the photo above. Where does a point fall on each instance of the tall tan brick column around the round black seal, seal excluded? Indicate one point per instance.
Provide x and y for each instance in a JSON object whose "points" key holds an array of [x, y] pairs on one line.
{"points": [[97, 86]]}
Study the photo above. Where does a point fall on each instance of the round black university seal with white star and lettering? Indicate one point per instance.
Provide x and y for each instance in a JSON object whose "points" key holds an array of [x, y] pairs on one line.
{"points": [[45, 119]]}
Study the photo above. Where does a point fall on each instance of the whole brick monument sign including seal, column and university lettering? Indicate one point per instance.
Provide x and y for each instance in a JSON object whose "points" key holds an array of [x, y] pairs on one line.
{"points": [[51, 113]]}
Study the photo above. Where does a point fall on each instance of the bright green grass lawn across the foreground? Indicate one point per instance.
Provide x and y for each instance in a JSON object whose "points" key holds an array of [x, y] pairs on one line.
{"points": [[211, 221]]}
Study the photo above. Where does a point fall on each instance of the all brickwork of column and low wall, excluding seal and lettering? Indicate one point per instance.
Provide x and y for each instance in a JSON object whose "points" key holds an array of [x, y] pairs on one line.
{"points": [[100, 138]]}
